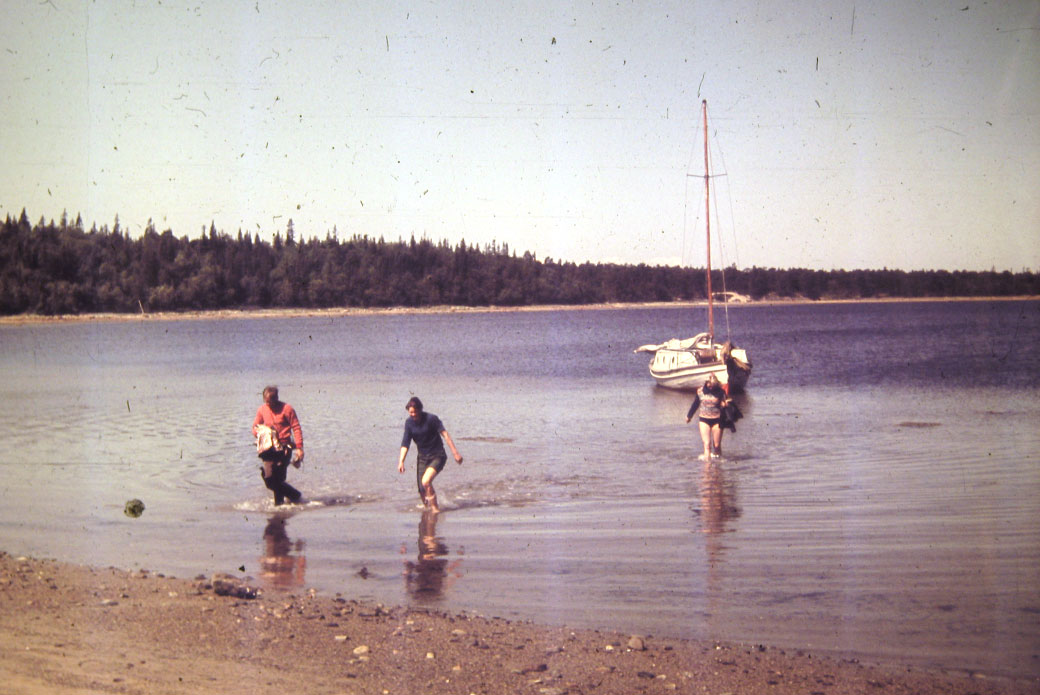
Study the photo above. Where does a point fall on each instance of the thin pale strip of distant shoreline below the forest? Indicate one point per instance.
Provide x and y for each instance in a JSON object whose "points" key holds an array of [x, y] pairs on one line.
{"points": [[218, 315]]}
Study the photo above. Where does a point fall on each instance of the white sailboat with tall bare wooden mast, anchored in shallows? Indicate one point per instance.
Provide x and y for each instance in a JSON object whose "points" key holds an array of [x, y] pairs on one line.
{"points": [[687, 364]]}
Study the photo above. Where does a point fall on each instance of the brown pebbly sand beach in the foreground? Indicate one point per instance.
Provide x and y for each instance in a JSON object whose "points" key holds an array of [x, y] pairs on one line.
{"points": [[66, 629]]}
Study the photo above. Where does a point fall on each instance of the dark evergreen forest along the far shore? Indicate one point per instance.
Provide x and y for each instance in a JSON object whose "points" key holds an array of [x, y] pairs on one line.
{"points": [[55, 269]]}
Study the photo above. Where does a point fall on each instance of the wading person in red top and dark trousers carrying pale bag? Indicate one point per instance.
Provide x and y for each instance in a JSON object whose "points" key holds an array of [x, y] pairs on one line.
{"points": [[279, 440]]}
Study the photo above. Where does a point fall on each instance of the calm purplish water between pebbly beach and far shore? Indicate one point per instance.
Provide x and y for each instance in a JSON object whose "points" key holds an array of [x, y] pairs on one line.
{"points": [[881, 499]]}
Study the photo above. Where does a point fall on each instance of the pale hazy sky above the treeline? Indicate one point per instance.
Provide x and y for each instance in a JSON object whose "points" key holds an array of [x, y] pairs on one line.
{"points": [[845, 134]]}
